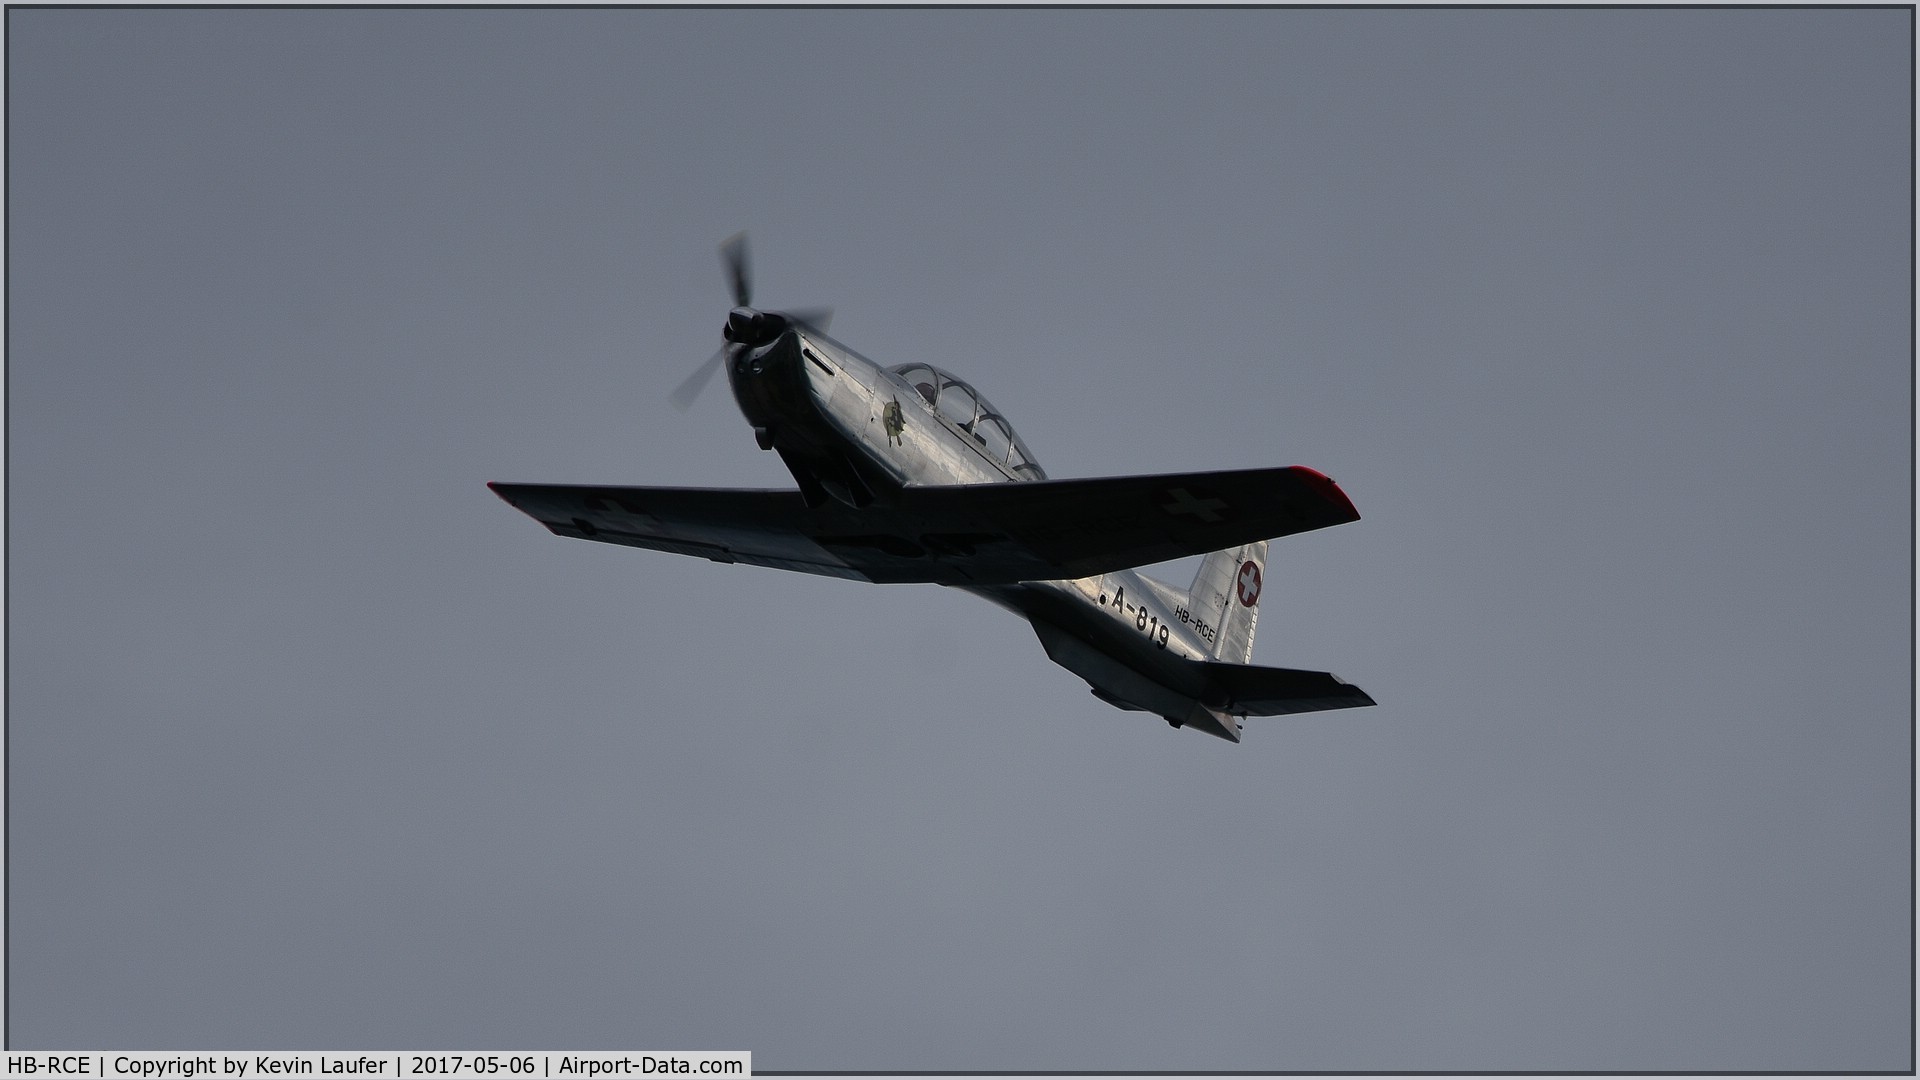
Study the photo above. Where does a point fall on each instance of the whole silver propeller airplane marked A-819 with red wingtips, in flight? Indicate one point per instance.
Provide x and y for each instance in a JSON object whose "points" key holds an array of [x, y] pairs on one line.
{"points": [[911, 476]]}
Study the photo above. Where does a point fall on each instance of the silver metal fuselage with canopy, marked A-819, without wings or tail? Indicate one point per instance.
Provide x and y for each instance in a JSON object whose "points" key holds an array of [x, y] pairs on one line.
{"points": [[859, 433]]}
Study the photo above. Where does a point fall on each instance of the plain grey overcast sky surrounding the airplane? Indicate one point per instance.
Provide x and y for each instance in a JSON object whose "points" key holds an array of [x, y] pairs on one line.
{"points": [[1600, 316]]}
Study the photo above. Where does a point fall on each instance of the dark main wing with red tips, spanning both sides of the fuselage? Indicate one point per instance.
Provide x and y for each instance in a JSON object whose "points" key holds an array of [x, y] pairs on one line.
{"points": [[953, 535]]}
